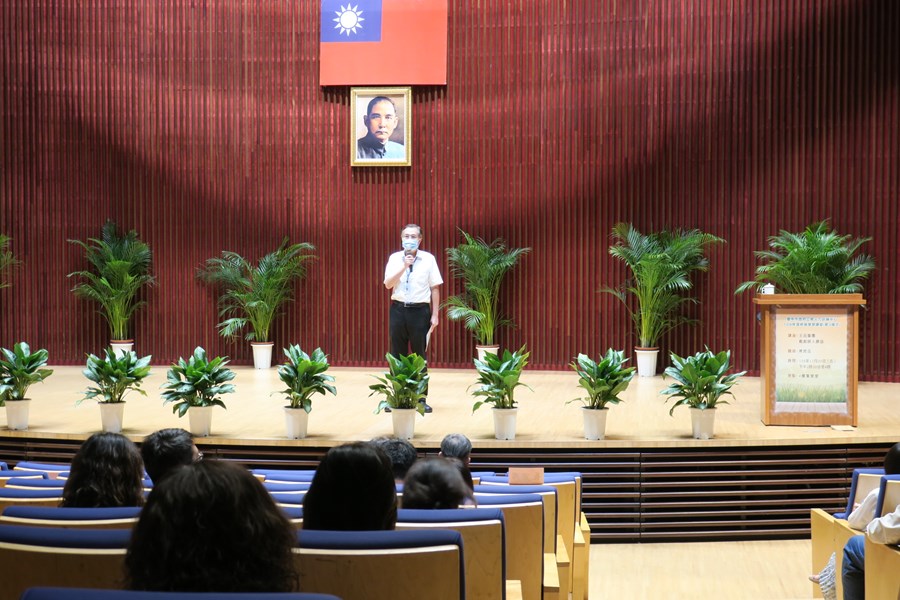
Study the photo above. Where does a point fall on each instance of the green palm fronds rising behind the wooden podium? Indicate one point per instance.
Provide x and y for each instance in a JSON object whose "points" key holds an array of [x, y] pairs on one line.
{"points": [[814, 261]]}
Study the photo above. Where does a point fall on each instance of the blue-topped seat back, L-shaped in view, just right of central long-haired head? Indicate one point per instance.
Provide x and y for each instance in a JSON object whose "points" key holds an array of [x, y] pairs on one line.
{"points": [[483, 534]]}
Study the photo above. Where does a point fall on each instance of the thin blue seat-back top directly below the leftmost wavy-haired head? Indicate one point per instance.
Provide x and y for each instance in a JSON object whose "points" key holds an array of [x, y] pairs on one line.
{"points": [[91, 518]]}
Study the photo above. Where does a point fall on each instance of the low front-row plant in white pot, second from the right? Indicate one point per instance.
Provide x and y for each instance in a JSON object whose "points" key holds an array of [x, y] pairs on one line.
{"points": [[603, 381]]}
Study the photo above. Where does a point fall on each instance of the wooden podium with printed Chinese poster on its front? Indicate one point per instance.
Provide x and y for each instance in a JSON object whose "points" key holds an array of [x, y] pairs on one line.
{"points": [[809, 361]]}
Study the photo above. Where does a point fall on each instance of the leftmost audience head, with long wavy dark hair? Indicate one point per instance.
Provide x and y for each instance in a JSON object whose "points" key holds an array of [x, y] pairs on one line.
{"points": [[106, 471]]}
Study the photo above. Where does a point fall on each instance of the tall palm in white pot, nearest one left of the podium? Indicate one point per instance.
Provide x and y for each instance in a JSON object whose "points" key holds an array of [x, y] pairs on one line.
{"points": [[661, 264]]}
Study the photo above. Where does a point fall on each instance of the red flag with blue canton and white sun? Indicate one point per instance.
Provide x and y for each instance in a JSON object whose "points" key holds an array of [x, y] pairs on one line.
{"points": [[383, 42]]}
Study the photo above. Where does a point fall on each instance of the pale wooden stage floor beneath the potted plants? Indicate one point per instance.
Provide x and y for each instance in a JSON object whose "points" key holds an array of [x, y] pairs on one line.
{"points": [[254, 415]]}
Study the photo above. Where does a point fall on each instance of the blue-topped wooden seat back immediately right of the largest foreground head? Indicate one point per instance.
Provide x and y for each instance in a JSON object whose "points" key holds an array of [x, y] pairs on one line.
{"points": [[395, 565]]}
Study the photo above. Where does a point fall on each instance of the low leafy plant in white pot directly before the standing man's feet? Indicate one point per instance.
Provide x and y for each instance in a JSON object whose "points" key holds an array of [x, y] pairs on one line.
{"points": [[403, 387]]}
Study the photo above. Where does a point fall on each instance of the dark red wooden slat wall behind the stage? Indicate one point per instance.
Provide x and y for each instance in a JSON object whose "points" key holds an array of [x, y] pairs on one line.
{"points": [[201, 124]]}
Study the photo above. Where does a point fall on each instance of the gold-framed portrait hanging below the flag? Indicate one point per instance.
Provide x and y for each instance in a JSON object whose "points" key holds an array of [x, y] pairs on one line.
{"points": [[381, 132]]}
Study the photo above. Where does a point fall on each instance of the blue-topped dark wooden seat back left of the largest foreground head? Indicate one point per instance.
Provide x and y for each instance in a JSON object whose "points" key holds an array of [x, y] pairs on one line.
{"points": [[52, 556]]}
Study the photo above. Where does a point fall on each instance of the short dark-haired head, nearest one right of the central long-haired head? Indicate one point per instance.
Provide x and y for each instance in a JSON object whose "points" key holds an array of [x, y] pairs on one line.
{"points": [[435, 483]]}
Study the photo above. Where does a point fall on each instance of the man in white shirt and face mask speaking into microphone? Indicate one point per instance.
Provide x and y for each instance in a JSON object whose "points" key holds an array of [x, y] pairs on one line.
{"points": [[413, 277]]}
